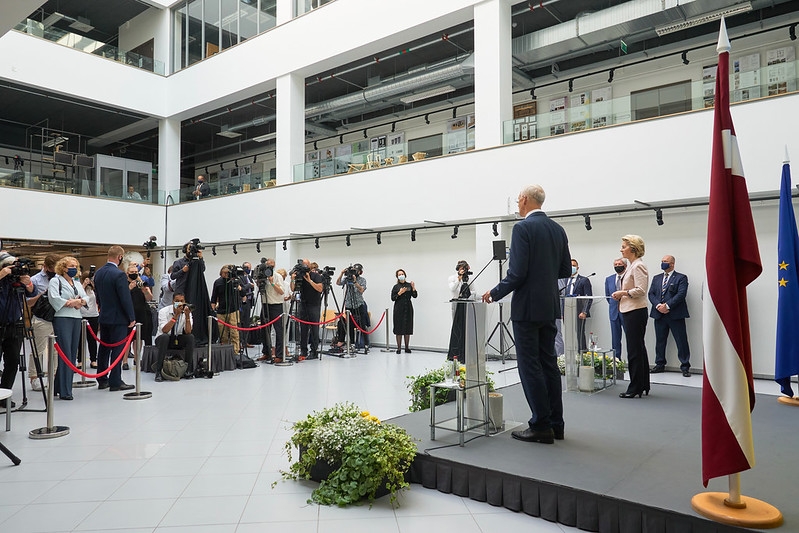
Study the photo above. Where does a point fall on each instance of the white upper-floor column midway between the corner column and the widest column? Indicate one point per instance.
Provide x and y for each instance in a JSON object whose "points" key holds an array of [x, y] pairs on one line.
{"points": [[290, 126]]}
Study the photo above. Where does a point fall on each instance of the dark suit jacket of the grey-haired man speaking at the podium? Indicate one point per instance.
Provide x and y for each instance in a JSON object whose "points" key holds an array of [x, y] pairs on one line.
{"points": [[539, 255]]}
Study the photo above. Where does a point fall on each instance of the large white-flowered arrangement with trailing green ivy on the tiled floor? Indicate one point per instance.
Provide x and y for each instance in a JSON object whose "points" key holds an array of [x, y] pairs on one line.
{"points": [[365, 454]]}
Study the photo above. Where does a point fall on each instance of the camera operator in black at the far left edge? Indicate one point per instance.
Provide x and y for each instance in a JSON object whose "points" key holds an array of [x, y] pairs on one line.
{"points": [[12, 277]]}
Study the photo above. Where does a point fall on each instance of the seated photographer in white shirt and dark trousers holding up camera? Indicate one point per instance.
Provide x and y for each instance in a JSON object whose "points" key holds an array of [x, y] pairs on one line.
{"points": [[174, 333]]}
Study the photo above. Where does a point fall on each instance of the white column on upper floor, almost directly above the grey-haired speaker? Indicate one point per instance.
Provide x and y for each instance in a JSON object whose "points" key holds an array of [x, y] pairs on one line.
{"points": [[493, 100]]}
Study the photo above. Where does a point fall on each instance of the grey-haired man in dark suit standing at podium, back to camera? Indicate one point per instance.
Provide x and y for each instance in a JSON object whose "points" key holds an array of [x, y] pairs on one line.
{"points": [[539, 255]]}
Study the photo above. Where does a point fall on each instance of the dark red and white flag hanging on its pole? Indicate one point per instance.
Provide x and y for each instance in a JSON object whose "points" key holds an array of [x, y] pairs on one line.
{"points": [[732, 261]]}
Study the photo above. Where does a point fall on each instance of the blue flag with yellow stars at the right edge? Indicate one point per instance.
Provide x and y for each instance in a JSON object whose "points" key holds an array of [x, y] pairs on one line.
{"points": [[788, 286]]}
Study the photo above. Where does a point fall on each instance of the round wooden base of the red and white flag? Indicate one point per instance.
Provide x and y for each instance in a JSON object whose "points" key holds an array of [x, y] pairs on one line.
{"points": [[753, 513]]}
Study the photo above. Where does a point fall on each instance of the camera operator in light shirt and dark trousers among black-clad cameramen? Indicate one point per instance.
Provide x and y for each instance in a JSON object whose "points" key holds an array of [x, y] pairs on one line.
{"points": [[271, 288]]}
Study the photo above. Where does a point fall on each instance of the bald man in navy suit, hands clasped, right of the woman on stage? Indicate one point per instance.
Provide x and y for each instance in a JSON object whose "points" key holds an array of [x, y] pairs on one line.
{"points": [[667, 296]]}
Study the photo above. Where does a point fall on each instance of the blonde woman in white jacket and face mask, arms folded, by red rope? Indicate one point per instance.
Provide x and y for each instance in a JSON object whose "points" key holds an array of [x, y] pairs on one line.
{"points": [[67, 298]]}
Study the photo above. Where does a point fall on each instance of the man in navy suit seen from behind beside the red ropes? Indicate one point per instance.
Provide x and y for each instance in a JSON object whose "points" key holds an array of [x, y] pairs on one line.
{"points": [[116, 317]]}
